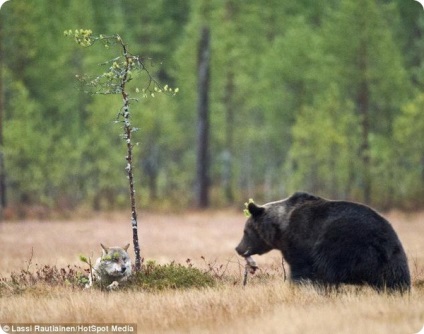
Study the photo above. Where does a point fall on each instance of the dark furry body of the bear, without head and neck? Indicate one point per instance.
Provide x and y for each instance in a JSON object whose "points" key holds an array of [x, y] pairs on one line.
{"points": [[343, 242]]}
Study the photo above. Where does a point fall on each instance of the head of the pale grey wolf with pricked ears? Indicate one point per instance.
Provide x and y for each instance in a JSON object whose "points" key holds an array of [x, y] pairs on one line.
{"points": [[115, 262]]}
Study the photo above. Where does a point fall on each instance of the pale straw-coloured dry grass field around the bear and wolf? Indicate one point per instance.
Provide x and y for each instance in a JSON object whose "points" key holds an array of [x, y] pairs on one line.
{"points": [[267, 304]]}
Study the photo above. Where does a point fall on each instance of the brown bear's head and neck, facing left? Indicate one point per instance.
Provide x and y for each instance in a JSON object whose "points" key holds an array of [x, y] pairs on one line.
{"points": [[264, 228]]}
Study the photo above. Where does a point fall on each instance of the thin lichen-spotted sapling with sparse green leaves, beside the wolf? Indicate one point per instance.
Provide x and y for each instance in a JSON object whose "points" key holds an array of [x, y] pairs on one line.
{"points": [[119, 71]]}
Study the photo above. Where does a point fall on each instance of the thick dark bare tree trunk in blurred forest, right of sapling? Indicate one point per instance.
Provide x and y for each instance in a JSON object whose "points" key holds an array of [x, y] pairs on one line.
{"points": [[202, 175]]}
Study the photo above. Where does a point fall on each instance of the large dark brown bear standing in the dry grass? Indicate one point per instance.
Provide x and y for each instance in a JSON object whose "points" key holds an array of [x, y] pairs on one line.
{"points": [[328, 243]]}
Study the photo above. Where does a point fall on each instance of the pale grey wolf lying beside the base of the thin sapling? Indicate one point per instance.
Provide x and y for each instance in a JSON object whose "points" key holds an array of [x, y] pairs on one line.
{"points": [[113, 267]]}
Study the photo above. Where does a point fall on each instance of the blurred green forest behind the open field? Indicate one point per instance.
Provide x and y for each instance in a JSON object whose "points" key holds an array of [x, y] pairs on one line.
{"points": [[323, 96]]}
